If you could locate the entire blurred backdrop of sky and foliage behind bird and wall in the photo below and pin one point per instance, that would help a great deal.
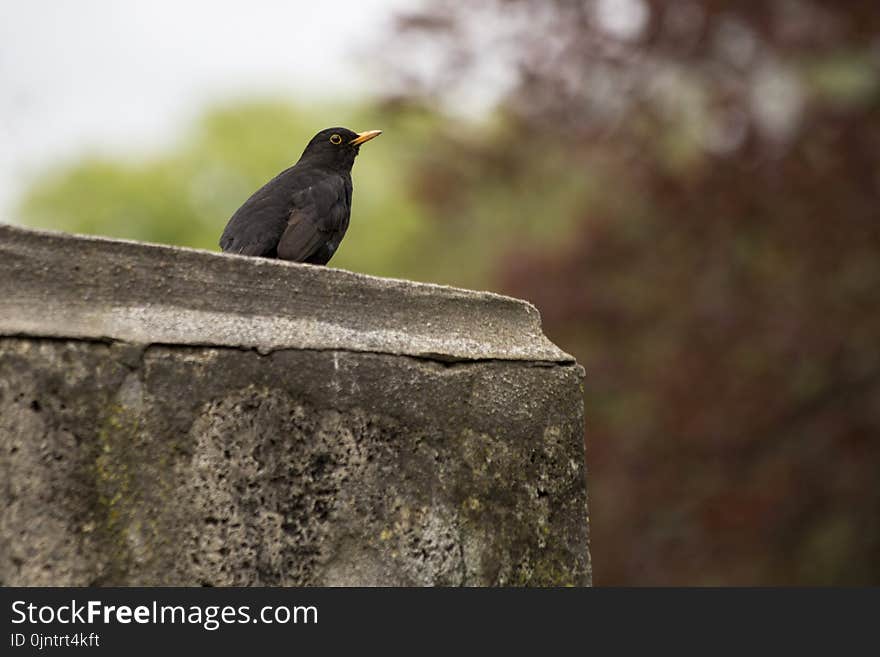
(688, 190)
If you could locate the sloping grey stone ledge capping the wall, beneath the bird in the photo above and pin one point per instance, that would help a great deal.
(69, 286)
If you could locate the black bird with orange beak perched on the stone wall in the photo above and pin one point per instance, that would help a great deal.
(302, 213)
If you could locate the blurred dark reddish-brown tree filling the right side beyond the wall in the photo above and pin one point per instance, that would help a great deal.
(708, 175)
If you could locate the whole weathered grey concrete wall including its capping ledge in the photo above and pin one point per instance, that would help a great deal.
(170, 416)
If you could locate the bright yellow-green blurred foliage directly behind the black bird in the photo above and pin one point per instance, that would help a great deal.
(185, 196)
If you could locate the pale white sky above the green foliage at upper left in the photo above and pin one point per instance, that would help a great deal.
(124, 75)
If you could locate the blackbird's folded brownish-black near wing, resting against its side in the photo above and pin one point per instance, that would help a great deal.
(317, 215)
